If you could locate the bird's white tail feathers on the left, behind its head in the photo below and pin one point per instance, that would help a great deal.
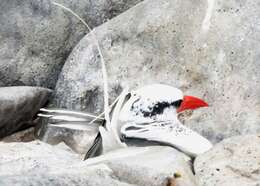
(108, 137)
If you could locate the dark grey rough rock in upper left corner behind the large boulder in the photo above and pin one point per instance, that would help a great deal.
(36, 36)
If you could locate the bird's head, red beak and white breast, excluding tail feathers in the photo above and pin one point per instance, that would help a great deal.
(151, 114)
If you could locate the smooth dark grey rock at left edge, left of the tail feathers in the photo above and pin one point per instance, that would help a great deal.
(19, 106)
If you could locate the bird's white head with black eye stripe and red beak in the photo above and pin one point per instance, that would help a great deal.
(158, 102)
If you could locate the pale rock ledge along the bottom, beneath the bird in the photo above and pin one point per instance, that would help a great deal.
(37, 163)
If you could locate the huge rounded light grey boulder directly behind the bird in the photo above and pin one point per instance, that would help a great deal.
(209, 49)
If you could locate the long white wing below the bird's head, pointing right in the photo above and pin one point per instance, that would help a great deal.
(176, 135)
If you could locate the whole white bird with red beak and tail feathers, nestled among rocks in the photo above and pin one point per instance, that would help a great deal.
(149, 113)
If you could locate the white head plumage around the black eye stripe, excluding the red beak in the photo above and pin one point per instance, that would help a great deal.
(143, 100)
